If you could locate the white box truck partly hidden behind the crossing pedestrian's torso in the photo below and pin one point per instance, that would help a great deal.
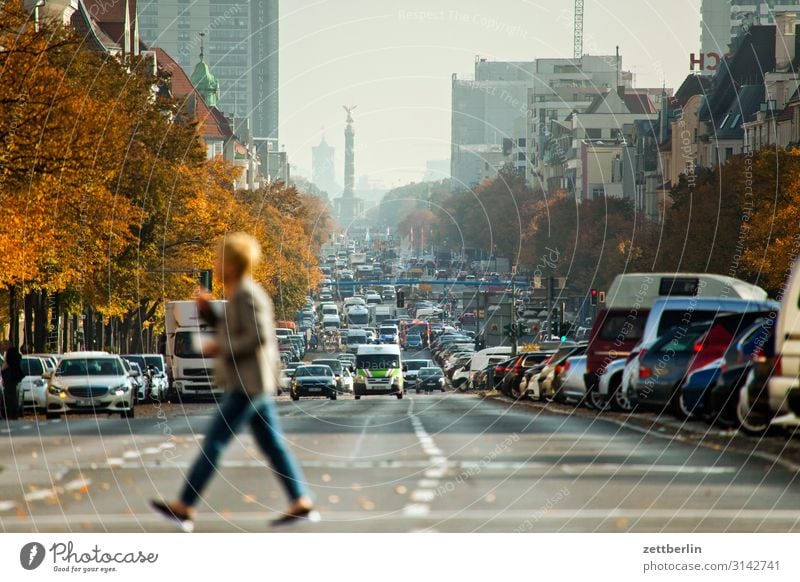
(190, 372)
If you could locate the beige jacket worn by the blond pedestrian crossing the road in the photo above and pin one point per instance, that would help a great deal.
(248, 359)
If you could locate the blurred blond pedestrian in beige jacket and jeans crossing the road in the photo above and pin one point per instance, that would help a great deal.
(247, 365)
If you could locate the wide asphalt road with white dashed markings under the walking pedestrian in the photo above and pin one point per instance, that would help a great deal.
(443, 462)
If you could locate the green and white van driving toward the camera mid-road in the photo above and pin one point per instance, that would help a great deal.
(379, 370)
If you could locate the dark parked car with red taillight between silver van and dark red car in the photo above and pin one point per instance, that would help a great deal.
(663, 367)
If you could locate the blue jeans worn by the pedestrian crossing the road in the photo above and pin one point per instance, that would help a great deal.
(237, 409)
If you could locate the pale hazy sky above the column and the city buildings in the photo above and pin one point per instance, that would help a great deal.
(395, 59)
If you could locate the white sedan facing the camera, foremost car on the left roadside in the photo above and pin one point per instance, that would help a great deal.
(90, 383)
